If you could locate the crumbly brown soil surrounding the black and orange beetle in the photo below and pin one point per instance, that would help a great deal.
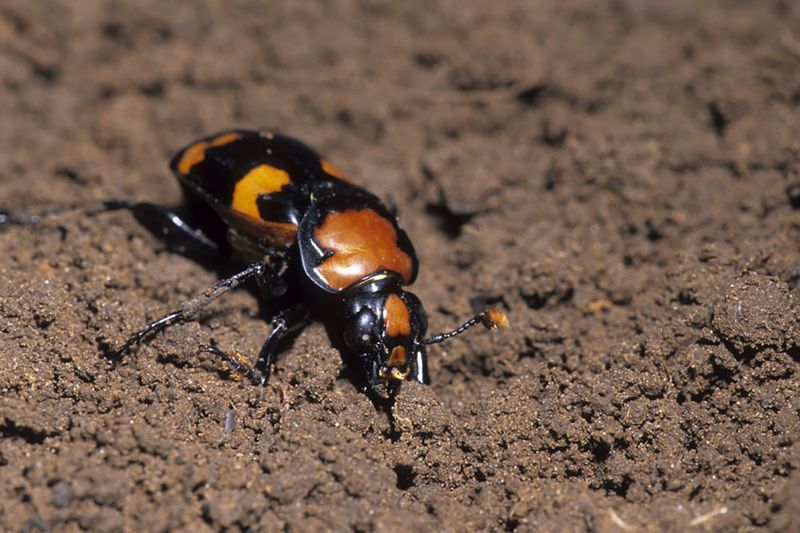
(623, 178)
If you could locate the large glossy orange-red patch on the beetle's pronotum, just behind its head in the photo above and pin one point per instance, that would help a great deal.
(362, 242)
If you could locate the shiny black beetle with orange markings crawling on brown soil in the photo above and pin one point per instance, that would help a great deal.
(311, 239)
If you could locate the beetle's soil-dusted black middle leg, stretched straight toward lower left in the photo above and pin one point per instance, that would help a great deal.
(189, 309)
